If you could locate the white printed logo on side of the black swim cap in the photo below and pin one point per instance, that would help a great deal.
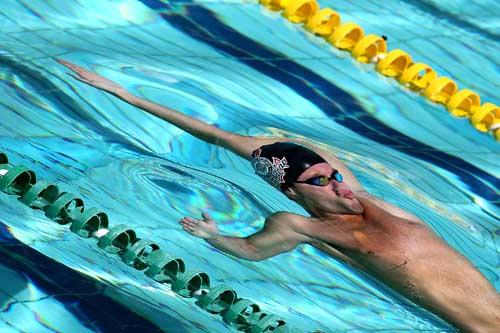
(273, 171)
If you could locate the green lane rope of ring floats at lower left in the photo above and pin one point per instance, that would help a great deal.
(141, 254)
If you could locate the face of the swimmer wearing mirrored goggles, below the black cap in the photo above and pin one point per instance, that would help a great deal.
(321, 189)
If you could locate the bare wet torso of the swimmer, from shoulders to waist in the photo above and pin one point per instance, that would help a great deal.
(414, 261)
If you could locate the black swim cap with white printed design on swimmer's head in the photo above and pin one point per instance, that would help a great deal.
(282, 163)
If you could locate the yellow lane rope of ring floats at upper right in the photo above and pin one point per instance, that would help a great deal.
(418, 77)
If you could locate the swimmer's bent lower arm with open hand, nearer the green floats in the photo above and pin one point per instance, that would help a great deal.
(274, 238)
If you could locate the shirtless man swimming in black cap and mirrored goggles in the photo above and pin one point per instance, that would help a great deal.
(345, 221)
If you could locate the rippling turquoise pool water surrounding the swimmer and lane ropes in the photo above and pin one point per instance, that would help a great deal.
(237, 65)
